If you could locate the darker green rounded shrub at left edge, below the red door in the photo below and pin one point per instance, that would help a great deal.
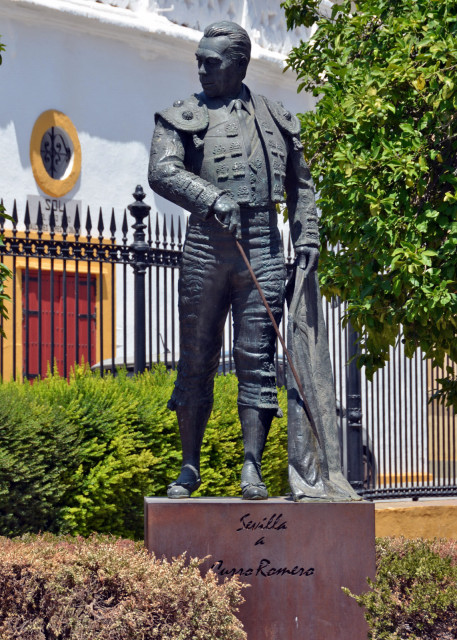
(37, 461)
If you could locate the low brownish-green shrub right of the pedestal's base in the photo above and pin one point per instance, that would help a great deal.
(414, 596)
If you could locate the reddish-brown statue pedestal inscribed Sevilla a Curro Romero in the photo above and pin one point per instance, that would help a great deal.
(296, 557)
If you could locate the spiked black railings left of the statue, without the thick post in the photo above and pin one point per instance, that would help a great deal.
(72, 292)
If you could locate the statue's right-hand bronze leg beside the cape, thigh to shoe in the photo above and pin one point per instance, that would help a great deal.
(254, 351)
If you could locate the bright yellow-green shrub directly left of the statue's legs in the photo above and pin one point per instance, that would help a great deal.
(115, 463)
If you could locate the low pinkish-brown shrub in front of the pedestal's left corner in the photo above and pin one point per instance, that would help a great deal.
(109, 589)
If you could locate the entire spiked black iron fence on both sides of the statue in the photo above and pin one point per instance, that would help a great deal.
(75, 292)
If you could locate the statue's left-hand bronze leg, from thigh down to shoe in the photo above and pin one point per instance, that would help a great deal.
(203, 307)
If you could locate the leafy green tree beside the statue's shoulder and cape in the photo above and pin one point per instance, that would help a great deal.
(382, 147)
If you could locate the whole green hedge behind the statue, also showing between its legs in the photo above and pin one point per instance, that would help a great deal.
(79, 456)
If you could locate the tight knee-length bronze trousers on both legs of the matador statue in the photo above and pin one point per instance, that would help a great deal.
(213, 277)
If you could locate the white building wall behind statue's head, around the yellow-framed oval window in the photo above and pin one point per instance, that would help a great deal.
(109, 86)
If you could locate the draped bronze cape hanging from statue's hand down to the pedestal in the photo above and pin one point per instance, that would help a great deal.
(314, 469)
